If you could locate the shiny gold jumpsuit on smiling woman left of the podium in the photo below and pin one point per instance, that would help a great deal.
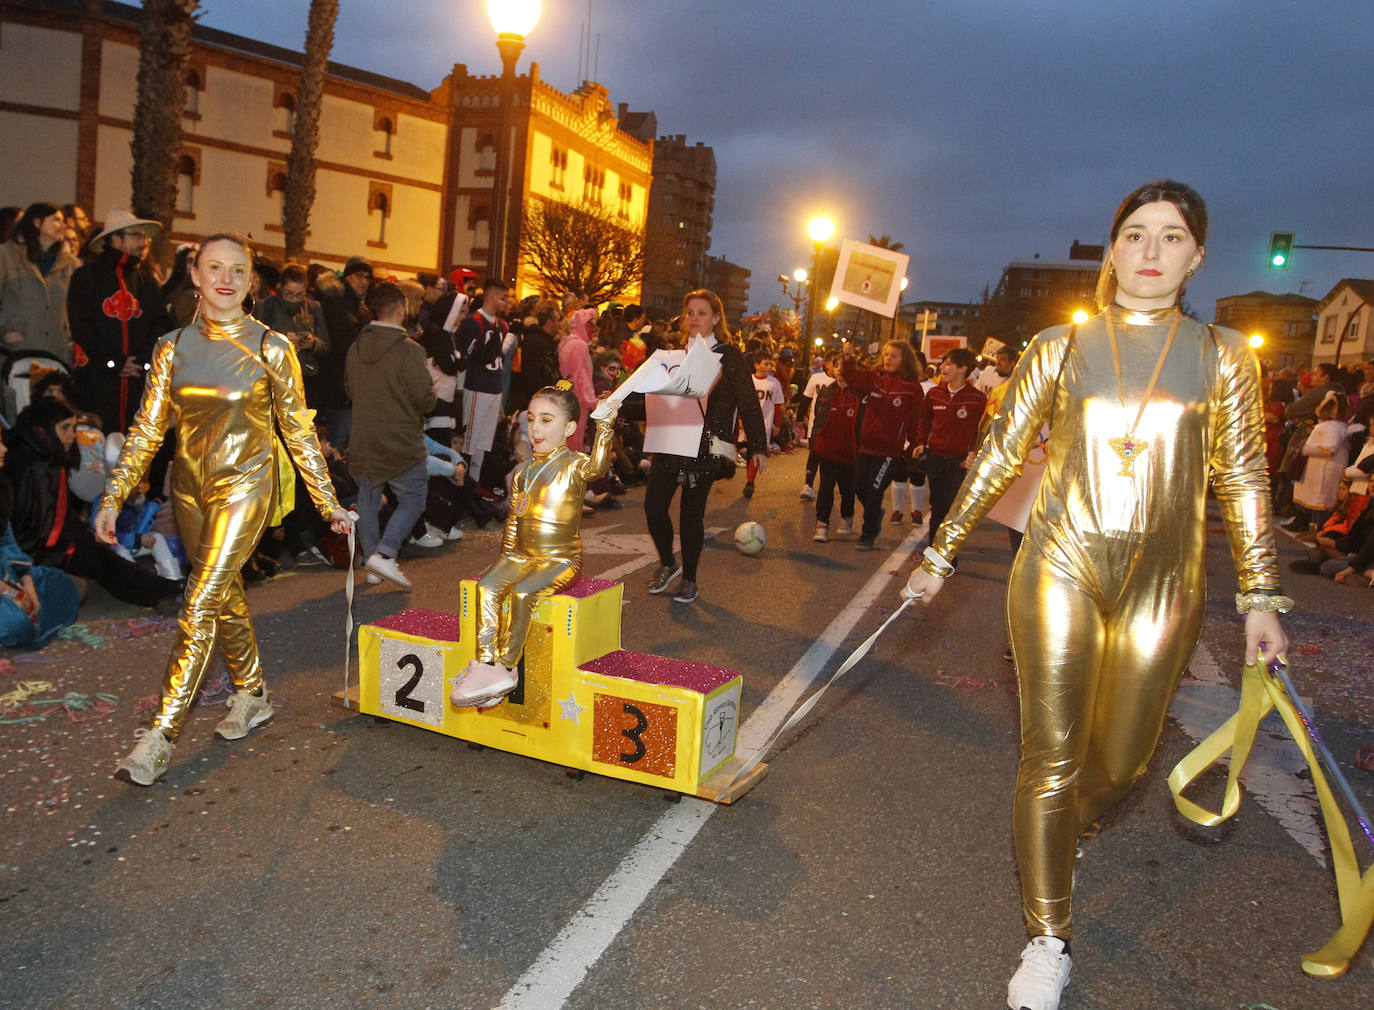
(223, 402)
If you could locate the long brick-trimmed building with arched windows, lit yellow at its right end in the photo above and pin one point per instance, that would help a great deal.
(405, 174)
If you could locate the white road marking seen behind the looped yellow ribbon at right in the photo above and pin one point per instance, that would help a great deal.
(1203, 703)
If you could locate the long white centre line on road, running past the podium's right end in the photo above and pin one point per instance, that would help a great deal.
(570, 957)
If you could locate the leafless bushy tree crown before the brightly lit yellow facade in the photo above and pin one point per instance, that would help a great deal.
(582, 248)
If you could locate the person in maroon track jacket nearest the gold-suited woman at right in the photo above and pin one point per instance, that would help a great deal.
(949, 431)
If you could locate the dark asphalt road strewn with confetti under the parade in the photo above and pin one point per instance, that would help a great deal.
(340, 861)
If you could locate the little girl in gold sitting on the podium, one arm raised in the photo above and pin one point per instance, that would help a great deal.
(542, 550)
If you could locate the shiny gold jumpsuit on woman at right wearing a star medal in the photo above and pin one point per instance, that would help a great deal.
(1107, 597)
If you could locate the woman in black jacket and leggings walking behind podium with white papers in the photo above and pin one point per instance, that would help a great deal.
(733, 398)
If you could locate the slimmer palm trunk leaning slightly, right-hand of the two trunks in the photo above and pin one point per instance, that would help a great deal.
(300, 164)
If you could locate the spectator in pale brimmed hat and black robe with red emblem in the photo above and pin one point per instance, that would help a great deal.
(116, 313)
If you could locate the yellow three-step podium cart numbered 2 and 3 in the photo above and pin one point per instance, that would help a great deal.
(582, 700)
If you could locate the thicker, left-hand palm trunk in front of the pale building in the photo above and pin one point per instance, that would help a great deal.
(164, 56)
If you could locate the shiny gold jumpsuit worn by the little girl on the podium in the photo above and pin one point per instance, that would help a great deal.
(542, 550)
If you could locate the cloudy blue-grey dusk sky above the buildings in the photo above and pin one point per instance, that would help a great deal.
(975, 131)
